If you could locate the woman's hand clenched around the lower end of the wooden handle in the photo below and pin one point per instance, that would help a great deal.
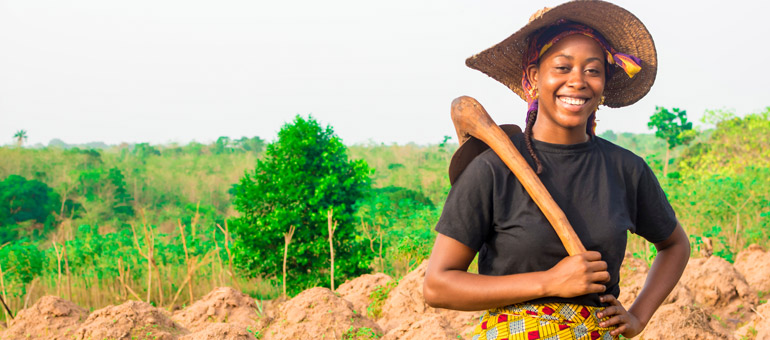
(578, 275)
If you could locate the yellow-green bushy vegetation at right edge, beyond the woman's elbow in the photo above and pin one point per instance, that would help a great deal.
(721, 188)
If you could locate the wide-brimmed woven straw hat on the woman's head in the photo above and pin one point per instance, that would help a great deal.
(624, 31)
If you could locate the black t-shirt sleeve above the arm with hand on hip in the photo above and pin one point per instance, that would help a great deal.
(656, 219)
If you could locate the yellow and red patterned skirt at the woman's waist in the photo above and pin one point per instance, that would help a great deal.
(552, 321)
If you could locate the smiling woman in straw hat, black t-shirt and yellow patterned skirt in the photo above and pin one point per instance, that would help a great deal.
(565, 63)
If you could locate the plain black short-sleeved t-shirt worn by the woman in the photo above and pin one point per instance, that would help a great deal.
(603, 189)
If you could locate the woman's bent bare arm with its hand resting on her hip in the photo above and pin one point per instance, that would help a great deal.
(673, 254)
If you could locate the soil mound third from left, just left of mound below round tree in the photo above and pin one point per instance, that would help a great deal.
(223, 304)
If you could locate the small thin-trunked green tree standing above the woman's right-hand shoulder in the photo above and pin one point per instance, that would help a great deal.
(672, 127)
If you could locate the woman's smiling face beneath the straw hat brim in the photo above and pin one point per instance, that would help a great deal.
(570, 81)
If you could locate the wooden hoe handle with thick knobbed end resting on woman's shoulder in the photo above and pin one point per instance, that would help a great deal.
(470, 119)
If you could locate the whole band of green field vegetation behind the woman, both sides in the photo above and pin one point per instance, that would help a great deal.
(152, 222)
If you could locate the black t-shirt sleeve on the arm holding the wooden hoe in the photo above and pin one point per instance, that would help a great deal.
(467, 214)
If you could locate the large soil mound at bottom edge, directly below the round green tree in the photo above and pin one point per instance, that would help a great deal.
(317, 313)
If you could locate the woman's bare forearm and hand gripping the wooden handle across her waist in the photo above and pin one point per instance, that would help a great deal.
(449, 285)
